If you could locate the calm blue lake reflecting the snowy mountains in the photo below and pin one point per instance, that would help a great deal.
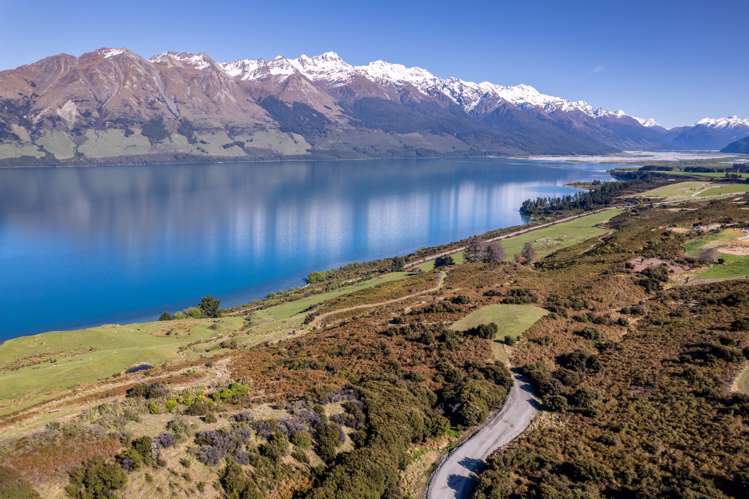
(85, 246)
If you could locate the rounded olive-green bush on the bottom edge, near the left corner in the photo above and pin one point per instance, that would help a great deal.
(96, 479)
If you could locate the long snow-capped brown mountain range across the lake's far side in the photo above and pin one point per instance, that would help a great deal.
(114, 105)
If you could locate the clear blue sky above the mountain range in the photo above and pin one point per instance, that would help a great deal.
(675, 60)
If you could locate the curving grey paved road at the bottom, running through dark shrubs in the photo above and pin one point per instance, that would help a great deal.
(455, 476)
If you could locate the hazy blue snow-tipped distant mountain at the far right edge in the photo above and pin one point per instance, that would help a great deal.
(708, 133)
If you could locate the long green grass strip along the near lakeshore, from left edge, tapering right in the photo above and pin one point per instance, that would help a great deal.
(35, 368)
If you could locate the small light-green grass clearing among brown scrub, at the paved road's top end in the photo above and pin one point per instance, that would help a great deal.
(511, 320)
